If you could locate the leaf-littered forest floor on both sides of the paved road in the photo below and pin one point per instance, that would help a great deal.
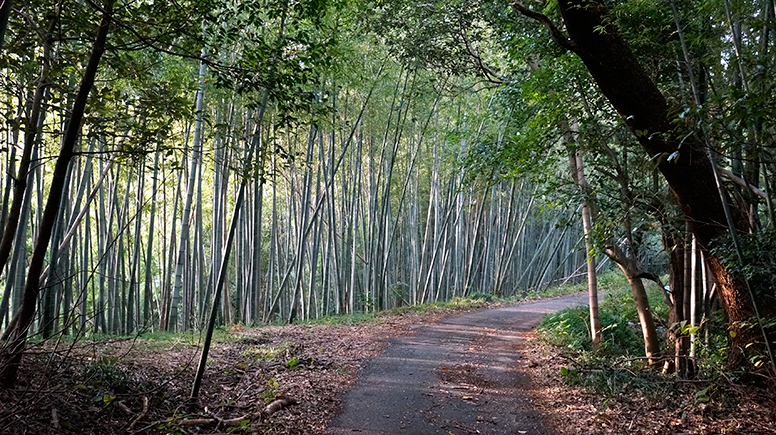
(142, 386)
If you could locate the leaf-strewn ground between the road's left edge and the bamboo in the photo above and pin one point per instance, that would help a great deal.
(104, 387)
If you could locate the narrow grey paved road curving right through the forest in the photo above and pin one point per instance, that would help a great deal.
(461, 376)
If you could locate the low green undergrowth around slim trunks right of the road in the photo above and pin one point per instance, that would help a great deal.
(618, 361)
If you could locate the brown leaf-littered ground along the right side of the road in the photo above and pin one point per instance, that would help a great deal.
(673, 409)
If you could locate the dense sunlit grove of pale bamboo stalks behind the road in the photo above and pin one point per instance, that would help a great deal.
(359, 203)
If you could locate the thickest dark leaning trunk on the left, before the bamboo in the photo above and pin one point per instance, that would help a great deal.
(17, 335)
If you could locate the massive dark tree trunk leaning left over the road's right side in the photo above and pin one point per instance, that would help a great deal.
(681, 159)
